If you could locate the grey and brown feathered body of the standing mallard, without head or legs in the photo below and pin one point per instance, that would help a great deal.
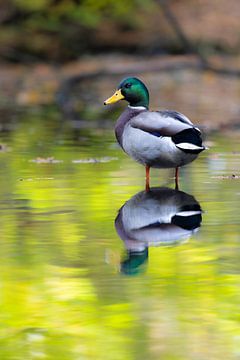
(148, 137)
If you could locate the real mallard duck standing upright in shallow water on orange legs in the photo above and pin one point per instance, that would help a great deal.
(158, 139)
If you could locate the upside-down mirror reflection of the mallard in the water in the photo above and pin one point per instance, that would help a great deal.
(162, 216)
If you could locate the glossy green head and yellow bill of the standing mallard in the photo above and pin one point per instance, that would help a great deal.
(132, 90)
